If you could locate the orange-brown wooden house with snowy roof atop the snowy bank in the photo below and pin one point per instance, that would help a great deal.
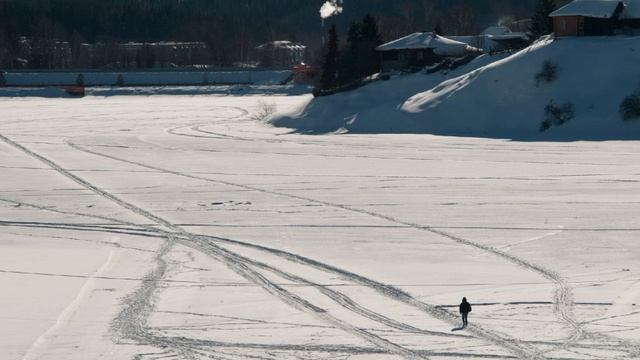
(588, 18)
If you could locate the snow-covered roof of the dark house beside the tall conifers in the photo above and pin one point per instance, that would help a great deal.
(427, 40)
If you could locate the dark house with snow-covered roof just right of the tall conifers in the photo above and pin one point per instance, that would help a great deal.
(419, 50)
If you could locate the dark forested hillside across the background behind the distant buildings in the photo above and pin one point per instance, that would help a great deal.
(230, 29)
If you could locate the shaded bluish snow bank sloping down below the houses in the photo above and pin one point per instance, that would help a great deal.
(495, 99)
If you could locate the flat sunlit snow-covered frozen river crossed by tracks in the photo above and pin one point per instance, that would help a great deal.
(181, 227)
